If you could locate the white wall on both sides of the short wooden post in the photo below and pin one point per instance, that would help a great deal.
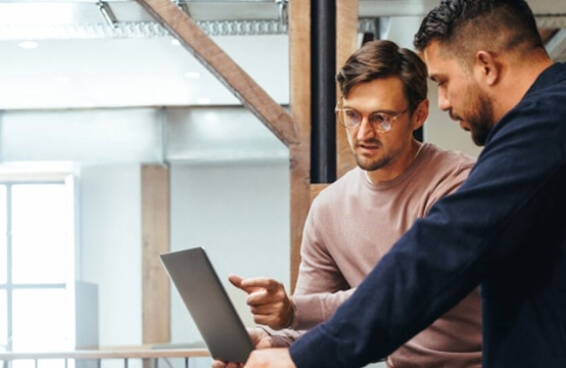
(240, 213)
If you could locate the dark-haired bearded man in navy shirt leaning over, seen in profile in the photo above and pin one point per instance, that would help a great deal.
(504, 229)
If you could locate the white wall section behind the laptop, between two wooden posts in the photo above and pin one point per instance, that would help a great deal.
(240, 214)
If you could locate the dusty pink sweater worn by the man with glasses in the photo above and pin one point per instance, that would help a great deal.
(352, 224)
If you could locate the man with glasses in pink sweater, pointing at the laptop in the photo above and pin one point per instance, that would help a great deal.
(354, 221)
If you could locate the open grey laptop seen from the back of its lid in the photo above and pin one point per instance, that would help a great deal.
(208, 303)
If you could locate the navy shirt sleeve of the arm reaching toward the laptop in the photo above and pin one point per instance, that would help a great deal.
(444, 255)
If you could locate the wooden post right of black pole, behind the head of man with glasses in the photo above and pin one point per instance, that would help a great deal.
(346, 44)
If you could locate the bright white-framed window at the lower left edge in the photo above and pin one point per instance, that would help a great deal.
(36, 263)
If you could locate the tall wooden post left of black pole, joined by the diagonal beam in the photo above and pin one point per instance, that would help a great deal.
(300, 101)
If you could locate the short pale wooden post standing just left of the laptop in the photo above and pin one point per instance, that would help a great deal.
(156, 316)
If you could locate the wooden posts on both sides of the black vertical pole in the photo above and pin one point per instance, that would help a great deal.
(302, 192)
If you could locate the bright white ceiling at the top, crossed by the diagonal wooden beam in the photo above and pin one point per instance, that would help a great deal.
(81, 61)
